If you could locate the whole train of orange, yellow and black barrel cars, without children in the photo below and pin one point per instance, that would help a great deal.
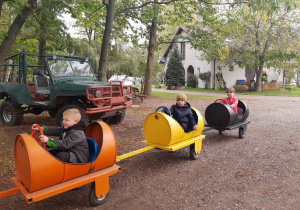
(36, 180)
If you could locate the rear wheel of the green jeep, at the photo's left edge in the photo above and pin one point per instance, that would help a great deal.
(11, 114)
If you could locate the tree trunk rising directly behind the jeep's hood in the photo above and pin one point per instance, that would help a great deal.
(106, 41)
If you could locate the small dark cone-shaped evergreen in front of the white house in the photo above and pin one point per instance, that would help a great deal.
(175, 69)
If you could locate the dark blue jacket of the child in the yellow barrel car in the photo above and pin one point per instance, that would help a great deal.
(183, 114)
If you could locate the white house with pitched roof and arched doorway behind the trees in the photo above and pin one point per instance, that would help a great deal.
(193, 65)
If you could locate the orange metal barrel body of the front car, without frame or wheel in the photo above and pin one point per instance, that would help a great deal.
(37, 169)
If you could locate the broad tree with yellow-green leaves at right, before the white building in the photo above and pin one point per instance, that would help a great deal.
(254, 35)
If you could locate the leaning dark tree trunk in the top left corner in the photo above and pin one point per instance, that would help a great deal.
(14, 29)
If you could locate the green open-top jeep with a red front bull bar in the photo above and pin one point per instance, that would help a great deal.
(63, 82)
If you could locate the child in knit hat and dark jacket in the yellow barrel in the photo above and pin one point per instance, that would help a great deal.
(182, 113)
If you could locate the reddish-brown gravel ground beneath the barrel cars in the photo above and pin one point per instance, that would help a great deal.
(260, 171)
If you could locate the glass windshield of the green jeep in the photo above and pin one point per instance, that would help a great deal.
(70, 68)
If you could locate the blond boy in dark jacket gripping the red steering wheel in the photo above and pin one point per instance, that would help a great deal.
(72, 145)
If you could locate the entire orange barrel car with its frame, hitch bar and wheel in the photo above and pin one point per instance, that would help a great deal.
(40, 175)
